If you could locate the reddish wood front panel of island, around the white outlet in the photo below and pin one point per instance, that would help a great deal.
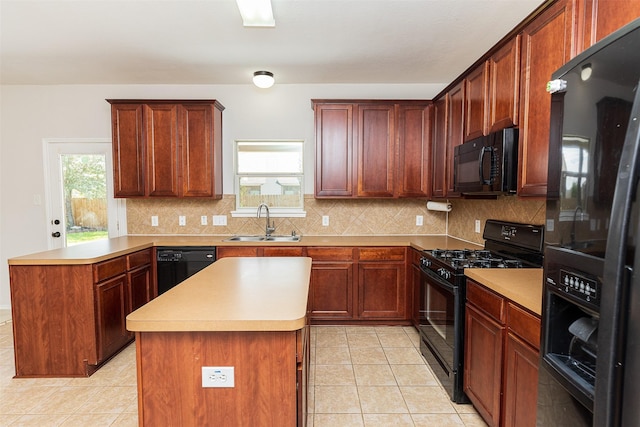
(170, 388)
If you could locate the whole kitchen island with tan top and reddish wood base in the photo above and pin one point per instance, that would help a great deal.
(245, 313)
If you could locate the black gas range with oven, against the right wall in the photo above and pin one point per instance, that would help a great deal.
(443, 293)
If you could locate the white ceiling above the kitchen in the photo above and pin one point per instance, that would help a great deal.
(49, 42)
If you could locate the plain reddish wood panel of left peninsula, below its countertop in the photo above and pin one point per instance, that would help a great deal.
(52, 311)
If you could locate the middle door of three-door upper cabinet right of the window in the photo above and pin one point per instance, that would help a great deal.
(376, 150)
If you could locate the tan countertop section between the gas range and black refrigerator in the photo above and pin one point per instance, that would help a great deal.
(521, 285)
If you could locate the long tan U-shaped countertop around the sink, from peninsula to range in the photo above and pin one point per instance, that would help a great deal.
(90, 253)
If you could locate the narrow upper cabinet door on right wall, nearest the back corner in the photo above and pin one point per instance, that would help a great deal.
(439, 148)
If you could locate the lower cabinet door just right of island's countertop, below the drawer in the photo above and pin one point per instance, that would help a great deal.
(331, 291)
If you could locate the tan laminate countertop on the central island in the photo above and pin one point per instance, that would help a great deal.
(233, 294)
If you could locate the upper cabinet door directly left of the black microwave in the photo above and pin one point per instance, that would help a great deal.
(455, 133)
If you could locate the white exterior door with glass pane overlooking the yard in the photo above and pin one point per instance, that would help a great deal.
(79, 184)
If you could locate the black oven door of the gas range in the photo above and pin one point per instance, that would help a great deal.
(441, 331)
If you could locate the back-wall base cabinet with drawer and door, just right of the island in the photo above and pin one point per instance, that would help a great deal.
(331, 291)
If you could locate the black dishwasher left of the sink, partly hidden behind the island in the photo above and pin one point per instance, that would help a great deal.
(175, 264)
